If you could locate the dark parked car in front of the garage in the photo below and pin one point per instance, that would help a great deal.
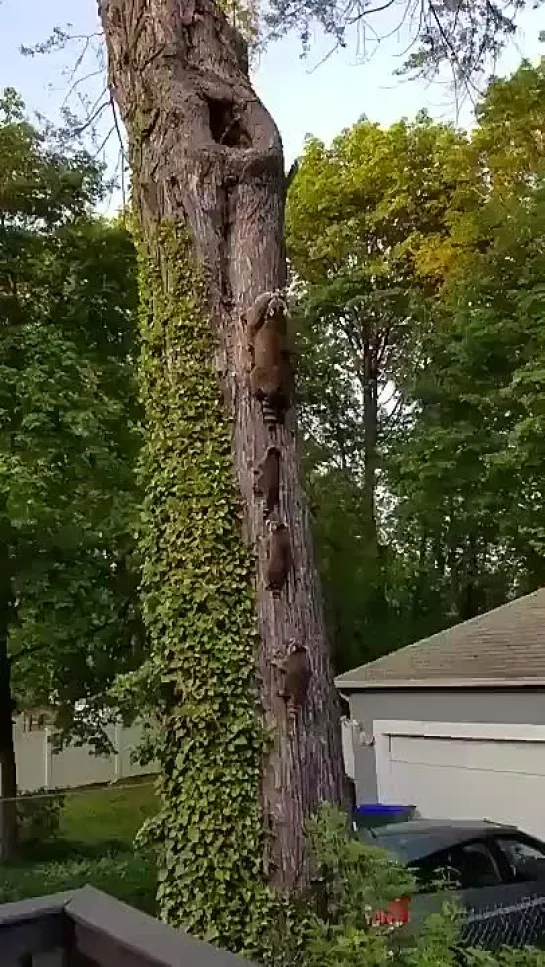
(496, 872)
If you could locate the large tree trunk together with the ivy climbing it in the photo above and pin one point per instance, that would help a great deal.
(239, 775)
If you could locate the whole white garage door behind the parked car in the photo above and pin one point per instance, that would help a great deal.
(467, 771)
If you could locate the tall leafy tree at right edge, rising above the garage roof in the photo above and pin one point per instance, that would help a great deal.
(470, 470)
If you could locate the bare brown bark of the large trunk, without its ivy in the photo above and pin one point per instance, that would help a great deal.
(206, 155)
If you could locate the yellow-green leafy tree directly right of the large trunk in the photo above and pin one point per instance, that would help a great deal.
(364, 217)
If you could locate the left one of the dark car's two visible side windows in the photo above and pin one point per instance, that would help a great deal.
(465, 867)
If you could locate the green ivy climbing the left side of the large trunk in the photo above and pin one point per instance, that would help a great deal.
(199, 610)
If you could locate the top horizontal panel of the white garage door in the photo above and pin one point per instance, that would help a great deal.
(492, 755)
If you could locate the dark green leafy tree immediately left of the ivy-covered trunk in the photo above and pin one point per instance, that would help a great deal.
(78, 614)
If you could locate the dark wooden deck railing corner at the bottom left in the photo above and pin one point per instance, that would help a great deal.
(86, 928)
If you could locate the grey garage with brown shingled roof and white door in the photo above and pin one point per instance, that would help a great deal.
(455, 724)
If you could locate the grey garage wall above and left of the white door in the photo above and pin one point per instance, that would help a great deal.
(524, 706)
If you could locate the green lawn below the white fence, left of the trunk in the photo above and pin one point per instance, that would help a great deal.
(94, 845)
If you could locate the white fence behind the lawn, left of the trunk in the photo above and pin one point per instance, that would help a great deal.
(38, 767)
